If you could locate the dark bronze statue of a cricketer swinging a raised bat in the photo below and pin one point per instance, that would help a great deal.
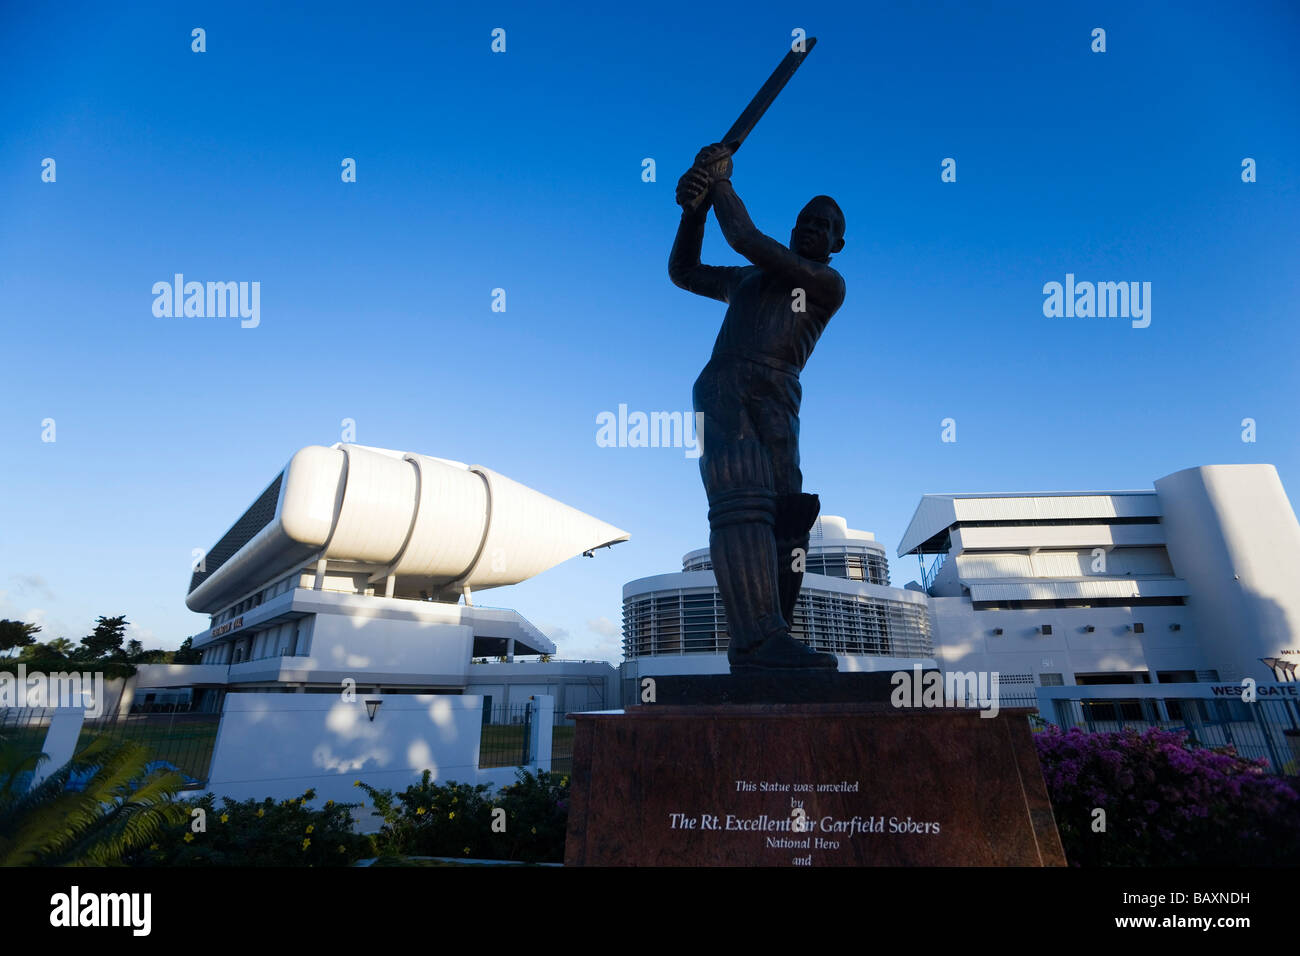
(749, 393)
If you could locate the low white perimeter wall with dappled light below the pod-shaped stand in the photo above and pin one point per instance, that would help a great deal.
(281, 745)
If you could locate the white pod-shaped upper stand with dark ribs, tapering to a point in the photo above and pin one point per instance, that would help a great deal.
(434, 525)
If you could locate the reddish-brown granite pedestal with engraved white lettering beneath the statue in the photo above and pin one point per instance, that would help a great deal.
(808, 785)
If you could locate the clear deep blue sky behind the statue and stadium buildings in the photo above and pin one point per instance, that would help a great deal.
(523, 171)
